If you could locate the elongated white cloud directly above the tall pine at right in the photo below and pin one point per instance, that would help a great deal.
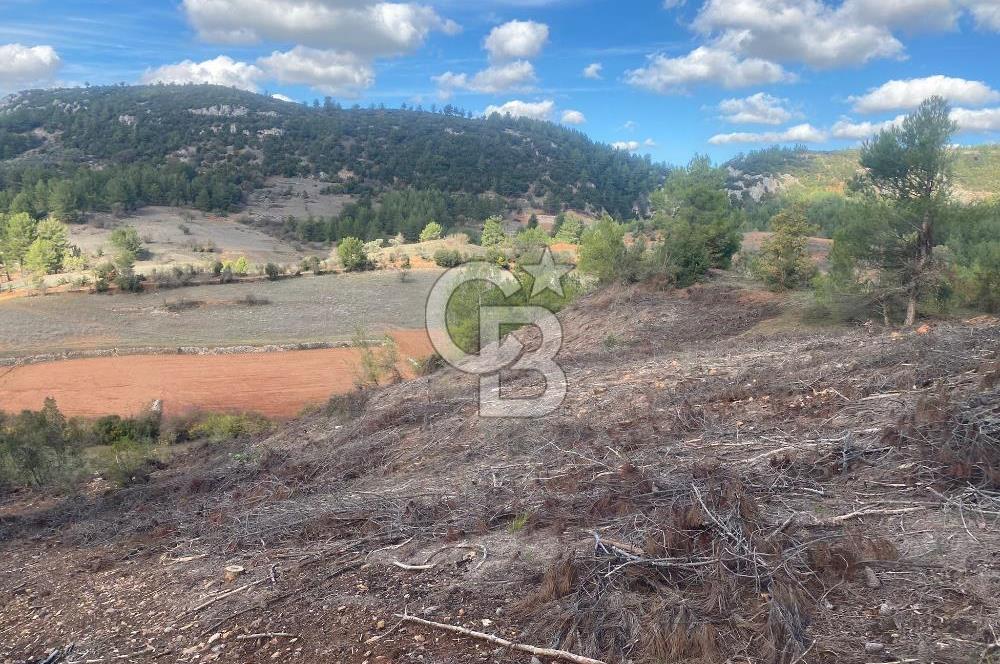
(908, 94)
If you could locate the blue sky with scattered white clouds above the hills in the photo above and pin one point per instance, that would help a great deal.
(668, 78)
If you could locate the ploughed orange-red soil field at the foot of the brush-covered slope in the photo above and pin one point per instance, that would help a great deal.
(277, 384)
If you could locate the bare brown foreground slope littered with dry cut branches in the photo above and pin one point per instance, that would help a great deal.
(707, 492)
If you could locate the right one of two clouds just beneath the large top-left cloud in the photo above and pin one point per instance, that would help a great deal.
(327, 71)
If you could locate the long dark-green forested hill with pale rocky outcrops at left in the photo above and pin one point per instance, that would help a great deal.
(96, 147)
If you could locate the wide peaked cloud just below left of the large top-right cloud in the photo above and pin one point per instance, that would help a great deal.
(705, 64)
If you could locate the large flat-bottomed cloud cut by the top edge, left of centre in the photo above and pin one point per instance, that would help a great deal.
(364, 27)
